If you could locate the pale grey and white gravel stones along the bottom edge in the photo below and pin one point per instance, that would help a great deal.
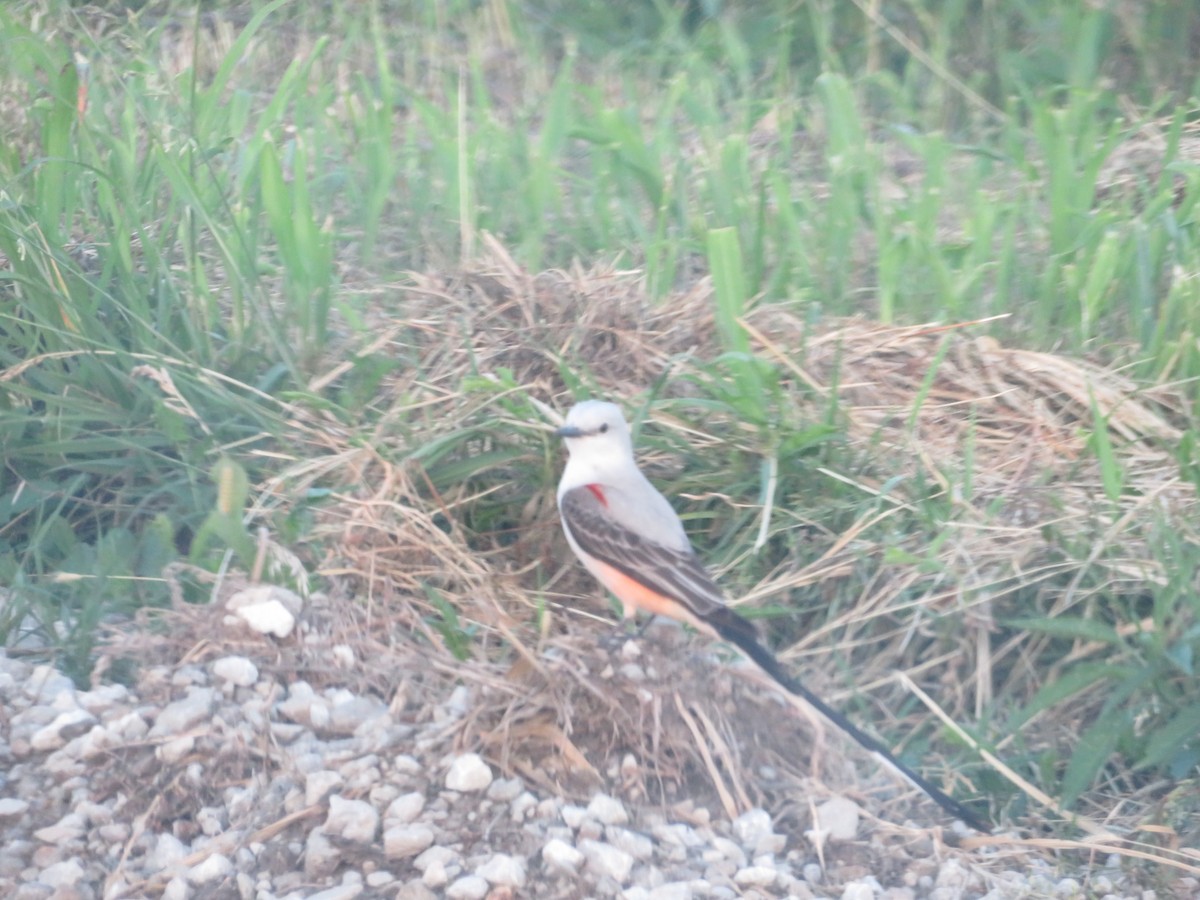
(221, 779)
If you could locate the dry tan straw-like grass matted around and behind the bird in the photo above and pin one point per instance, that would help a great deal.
(559, 710)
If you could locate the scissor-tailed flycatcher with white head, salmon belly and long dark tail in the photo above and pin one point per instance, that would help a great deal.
(631, 539)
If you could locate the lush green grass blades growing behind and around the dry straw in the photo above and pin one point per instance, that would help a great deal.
(238, 227)
